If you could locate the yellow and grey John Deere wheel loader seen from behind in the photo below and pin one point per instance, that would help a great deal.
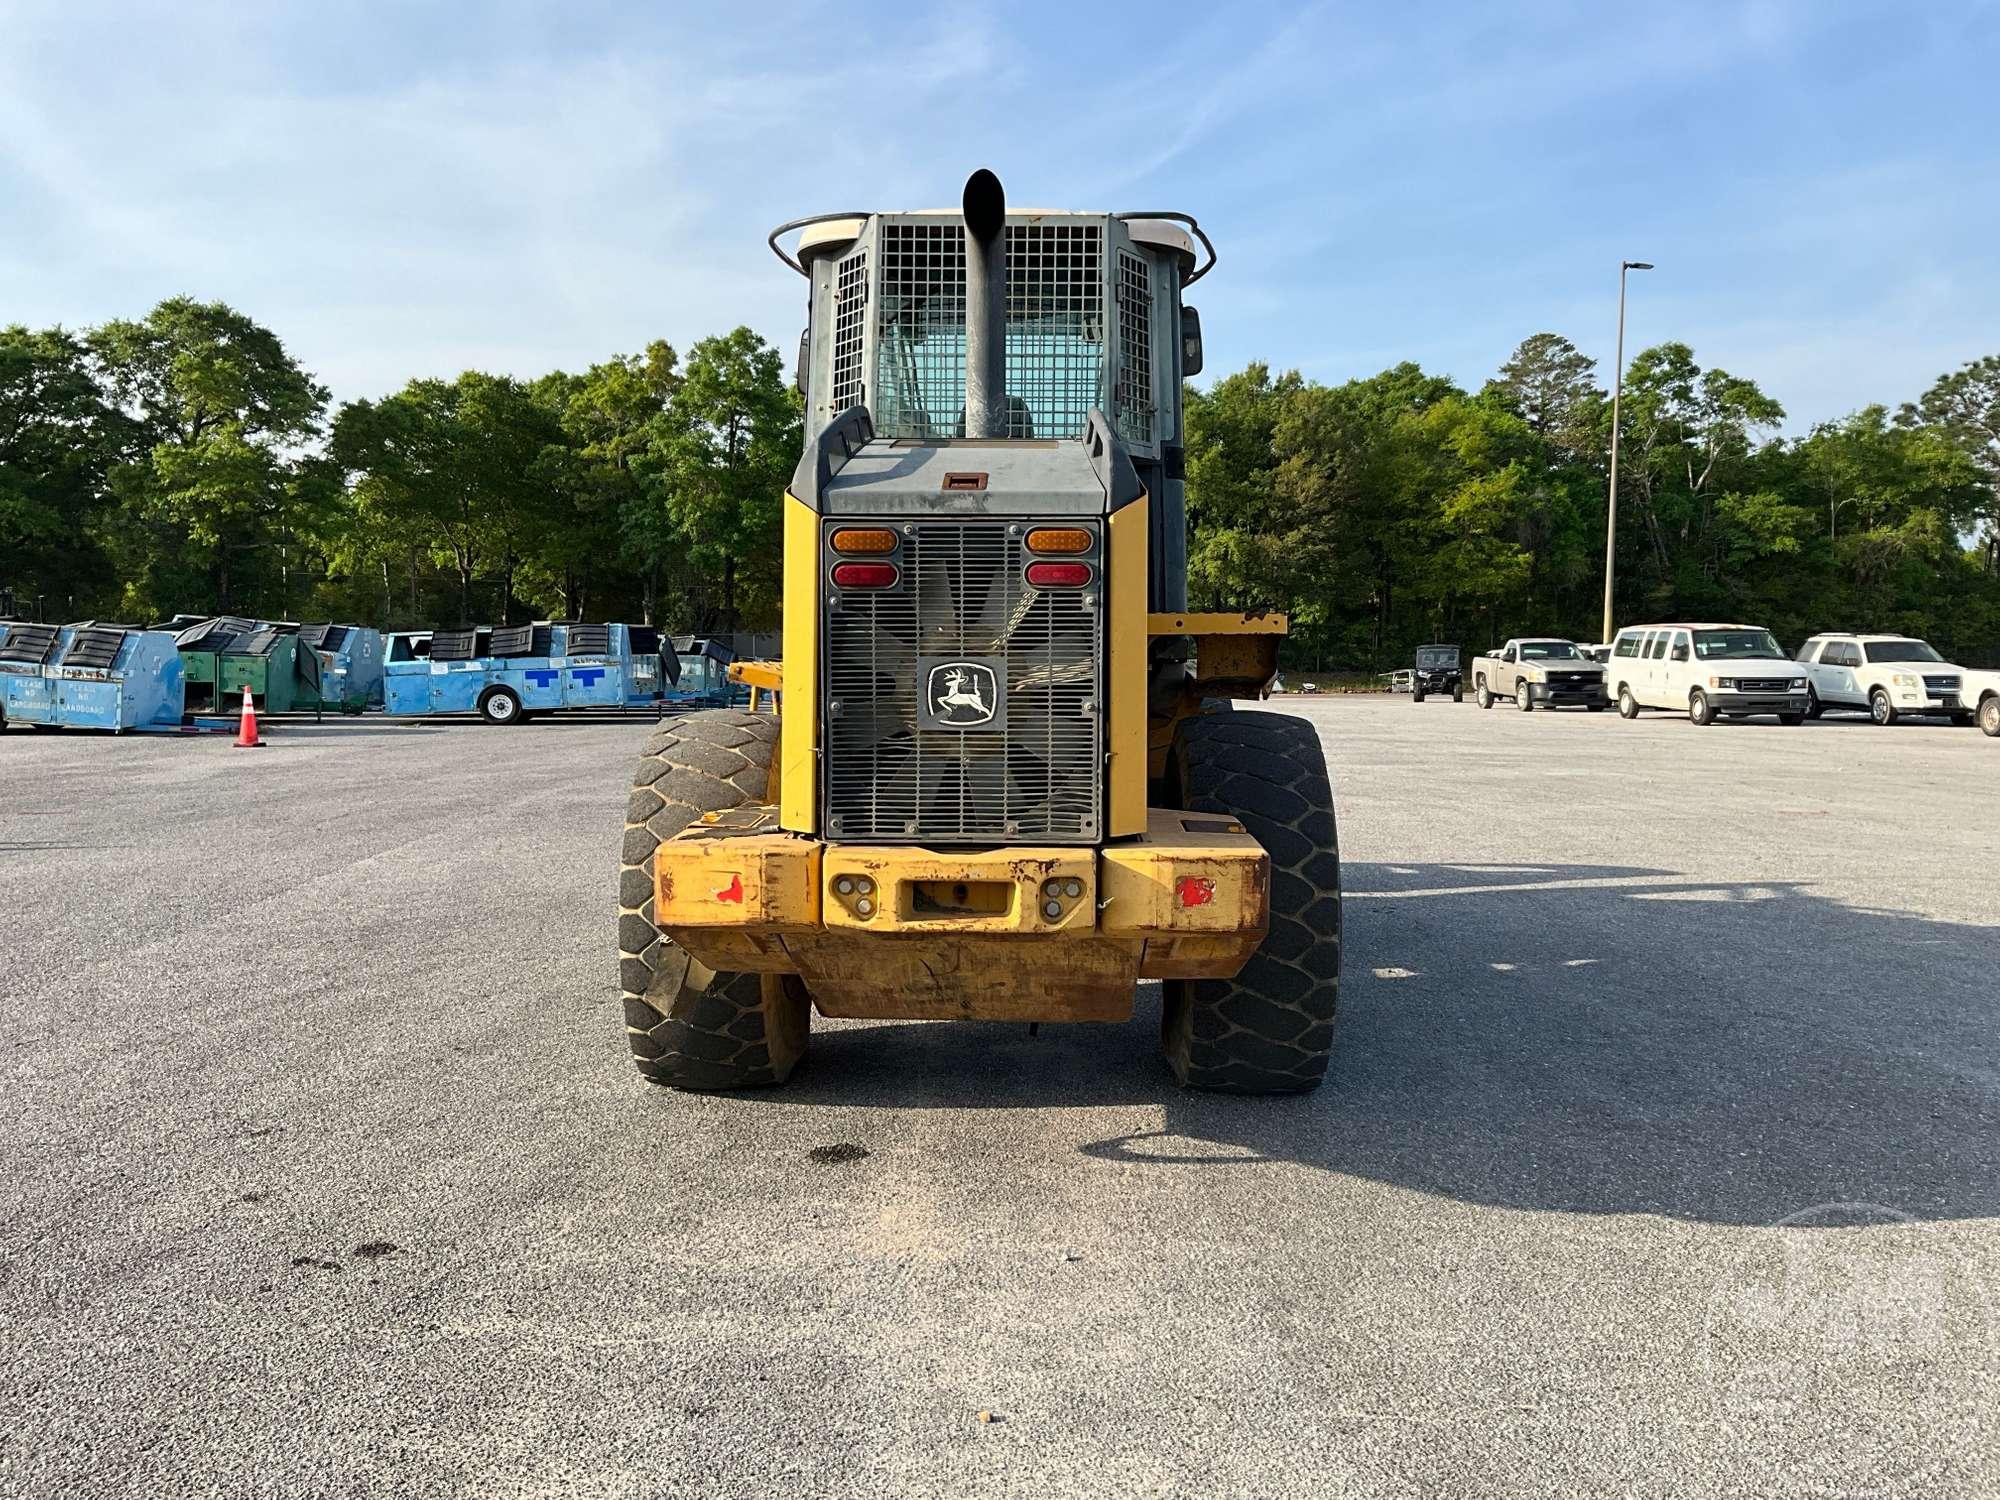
(999, 785)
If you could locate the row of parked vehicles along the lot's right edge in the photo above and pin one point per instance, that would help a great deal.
(1731, 671)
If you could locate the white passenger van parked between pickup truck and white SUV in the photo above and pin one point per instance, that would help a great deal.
(1707, 673)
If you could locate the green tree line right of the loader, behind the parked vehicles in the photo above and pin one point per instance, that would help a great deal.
(1403, 509)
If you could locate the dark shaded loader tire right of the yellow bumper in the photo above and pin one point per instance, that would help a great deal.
(1271, 1029)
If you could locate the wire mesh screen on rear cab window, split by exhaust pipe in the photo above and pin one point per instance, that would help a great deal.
(1055, 329)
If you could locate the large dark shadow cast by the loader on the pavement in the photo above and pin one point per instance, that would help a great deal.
(1573, 1039)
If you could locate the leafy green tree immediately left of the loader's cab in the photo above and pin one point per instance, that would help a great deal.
(725, 455)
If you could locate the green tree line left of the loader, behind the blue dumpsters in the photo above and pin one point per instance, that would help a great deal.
(187, 463)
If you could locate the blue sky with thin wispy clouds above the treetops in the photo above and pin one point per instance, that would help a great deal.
(417, 189)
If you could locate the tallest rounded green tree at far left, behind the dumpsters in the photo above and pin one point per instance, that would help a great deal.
(223, 415)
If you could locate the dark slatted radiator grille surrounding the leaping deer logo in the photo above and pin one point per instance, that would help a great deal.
(1035, 773)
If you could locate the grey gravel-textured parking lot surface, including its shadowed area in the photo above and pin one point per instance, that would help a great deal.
(1661, 1153)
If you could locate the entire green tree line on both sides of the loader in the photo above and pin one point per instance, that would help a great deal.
(187, 463)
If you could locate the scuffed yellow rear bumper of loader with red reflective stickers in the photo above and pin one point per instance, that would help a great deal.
(997, 935)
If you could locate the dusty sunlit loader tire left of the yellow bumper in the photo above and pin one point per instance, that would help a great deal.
(691, 1027)
